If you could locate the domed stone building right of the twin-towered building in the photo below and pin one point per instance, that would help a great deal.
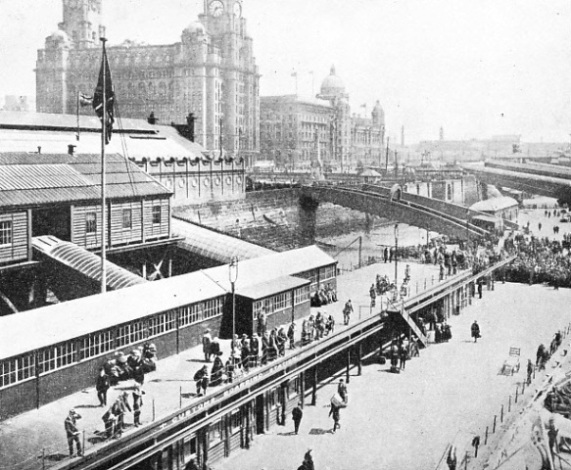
(298, 133)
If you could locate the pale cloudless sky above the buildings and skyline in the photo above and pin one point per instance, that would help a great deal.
(477, 68)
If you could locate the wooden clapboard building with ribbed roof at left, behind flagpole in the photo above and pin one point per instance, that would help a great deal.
(60, 195)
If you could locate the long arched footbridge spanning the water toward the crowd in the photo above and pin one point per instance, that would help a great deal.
(427, 213)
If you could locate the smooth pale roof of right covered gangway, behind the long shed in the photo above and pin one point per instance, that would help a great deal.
(216, 246)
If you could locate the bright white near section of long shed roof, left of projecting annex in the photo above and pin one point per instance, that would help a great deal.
(61, 322)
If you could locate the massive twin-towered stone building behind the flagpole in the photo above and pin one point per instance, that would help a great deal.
(211, 72)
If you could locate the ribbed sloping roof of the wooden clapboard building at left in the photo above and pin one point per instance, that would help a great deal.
(30, 179)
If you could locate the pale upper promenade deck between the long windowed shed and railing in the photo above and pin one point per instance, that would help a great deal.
(26, 438)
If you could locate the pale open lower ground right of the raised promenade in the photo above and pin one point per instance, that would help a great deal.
(405, 421)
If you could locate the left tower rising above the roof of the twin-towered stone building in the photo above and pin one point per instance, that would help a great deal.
(82, 22)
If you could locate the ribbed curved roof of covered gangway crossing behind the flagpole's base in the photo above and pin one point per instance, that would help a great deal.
(85, 262)
